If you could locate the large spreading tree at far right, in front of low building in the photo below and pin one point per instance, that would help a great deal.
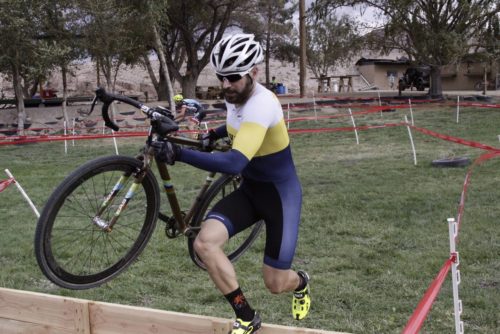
(430, 32)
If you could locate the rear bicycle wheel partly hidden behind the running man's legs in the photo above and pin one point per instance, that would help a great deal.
(238, 244)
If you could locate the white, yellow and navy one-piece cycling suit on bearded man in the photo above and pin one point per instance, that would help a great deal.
(271, 189)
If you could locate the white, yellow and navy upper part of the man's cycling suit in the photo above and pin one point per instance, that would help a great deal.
(260, 143)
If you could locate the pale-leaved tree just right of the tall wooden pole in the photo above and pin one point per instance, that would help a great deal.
(331, 41)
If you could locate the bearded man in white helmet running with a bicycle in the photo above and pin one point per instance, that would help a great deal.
(270, 190)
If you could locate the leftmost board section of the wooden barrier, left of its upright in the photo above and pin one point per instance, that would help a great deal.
(43, 309)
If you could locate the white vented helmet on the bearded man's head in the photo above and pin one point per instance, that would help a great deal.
(236, 54)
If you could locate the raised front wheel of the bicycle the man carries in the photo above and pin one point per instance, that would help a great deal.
(75, 253)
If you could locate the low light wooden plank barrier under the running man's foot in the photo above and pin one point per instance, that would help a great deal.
(24, 312)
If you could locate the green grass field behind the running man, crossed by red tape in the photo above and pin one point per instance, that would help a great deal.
(373, 234)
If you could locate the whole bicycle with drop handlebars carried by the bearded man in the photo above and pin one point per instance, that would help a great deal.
(101, 217)
